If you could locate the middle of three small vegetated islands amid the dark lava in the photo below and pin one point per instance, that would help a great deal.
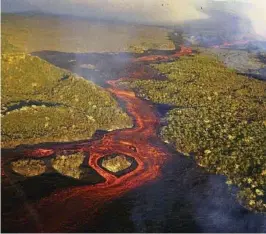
(69, 165)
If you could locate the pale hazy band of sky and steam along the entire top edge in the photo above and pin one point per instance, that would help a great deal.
(148, 11)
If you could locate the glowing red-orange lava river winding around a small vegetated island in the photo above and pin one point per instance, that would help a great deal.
(68, 209)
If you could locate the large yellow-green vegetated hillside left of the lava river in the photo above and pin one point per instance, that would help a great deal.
(70, 108)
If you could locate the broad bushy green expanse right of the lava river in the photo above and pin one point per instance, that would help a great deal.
(220, 117)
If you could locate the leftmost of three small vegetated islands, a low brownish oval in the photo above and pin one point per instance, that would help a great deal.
(29, 167)
